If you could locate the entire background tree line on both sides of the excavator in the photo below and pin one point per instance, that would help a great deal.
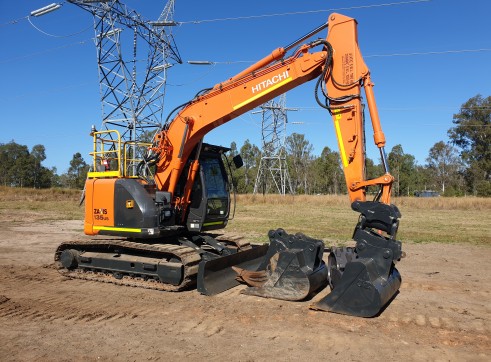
(459, 167)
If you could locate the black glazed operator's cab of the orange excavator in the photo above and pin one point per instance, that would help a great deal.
(210, 205)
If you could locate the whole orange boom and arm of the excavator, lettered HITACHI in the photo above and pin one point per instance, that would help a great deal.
(341, 73)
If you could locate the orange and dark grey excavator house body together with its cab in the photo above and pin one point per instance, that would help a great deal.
(129, 207)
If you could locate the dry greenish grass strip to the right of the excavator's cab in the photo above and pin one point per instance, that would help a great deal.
(330, 218)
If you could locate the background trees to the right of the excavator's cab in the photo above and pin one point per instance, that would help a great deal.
(459, 167)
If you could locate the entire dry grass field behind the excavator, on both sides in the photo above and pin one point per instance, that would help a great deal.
(330, 218)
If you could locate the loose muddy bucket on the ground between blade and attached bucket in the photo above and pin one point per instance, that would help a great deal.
(292, 269)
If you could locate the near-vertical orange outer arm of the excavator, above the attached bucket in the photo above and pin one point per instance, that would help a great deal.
(344, 79)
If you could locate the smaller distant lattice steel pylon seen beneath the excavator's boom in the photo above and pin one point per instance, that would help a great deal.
(273, 170)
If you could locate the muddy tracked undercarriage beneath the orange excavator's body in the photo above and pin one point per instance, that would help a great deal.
(171, 264)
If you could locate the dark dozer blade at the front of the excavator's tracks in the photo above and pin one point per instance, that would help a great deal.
(217, 275)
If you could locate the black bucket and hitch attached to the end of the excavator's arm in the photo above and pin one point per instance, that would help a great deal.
(365, 279)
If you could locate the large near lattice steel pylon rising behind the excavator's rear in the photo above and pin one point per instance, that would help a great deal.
(132, 80)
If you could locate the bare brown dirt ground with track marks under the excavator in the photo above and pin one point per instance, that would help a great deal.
(443, 312)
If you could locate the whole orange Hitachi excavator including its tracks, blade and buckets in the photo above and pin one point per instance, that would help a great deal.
(156, 228)
